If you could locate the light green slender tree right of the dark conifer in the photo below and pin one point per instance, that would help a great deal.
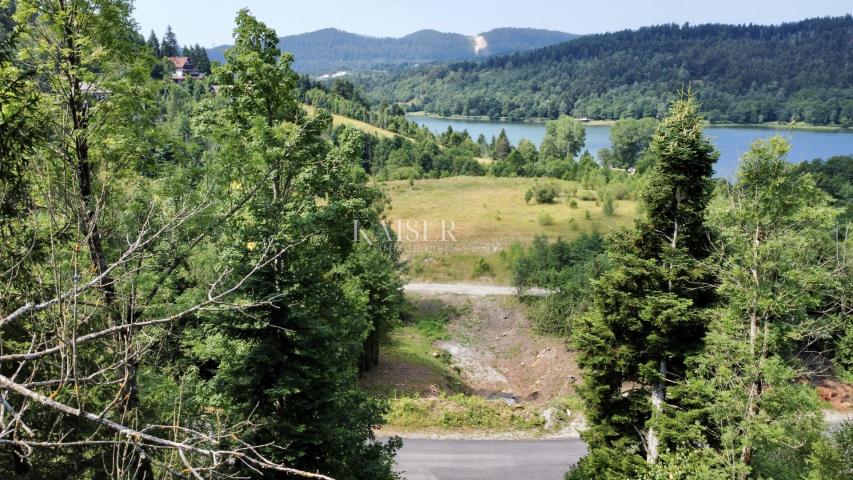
(781, 282)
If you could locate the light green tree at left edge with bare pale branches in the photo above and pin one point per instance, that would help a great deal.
(86, 302)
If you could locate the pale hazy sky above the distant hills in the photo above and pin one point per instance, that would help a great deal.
(210, 23)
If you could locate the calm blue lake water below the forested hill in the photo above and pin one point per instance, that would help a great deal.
(732, 142)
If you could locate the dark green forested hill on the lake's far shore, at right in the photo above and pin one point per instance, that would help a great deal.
(752, 73)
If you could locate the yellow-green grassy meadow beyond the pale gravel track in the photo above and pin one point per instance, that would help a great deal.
(487, 216)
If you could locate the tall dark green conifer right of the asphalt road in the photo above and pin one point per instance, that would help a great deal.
(649, 311)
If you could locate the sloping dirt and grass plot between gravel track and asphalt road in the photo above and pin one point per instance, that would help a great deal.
(473, 367)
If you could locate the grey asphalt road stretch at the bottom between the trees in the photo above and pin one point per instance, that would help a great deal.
(422, 459)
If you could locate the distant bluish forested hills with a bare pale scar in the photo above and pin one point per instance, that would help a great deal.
(331, 50)
